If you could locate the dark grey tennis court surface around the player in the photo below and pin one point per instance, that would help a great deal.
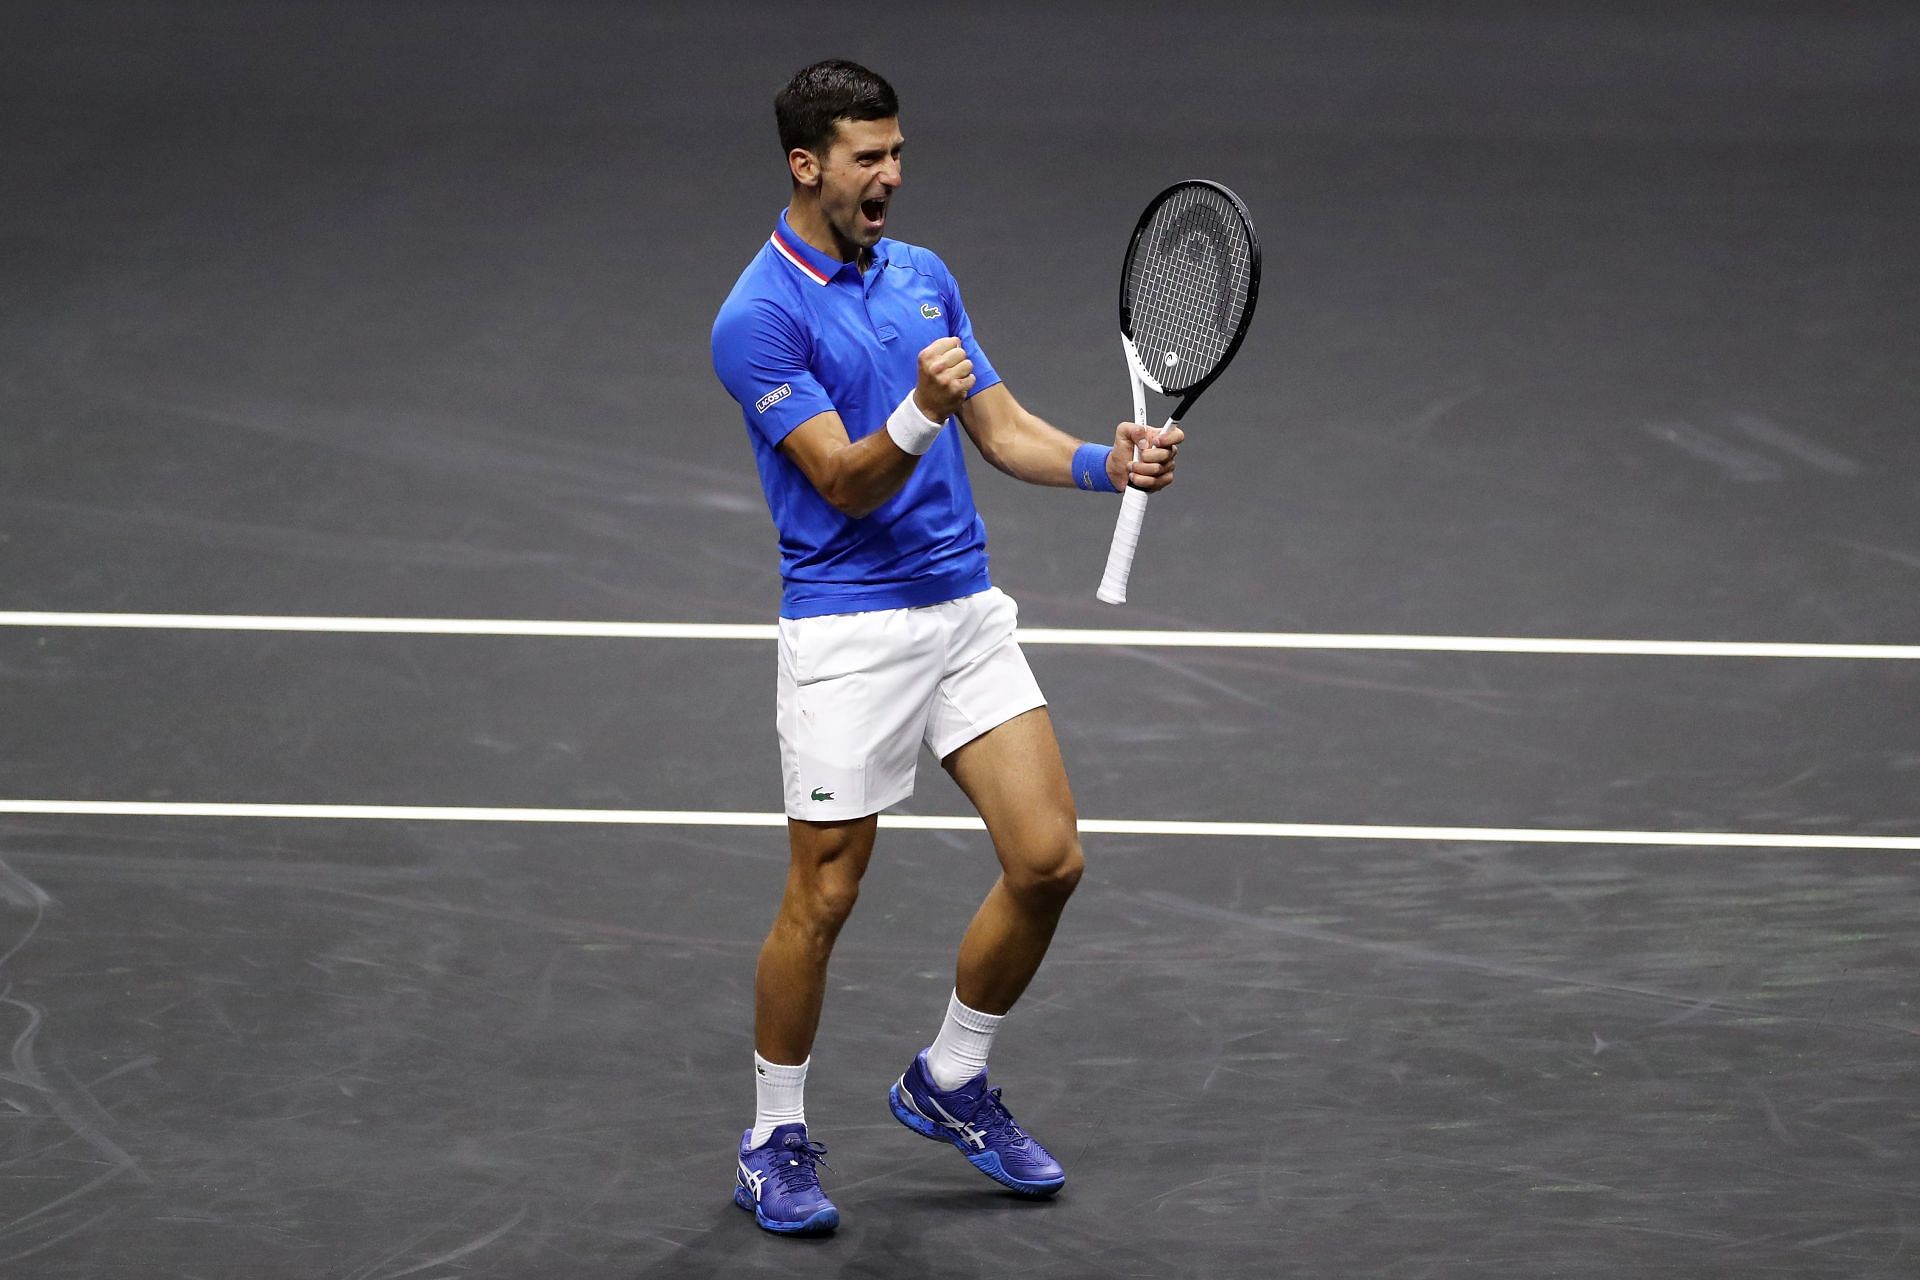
(1579, 321)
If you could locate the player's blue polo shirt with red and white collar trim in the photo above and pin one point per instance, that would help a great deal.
(805, 333)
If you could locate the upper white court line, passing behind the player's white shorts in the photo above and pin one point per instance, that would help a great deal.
(1028, 636)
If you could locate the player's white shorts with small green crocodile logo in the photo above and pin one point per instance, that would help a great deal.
(859, 694)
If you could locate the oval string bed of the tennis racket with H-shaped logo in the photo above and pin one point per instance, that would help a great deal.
(1189, 285)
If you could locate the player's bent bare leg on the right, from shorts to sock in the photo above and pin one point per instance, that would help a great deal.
(1017, 780)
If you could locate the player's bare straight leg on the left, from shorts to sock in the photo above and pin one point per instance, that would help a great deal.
(790, 984)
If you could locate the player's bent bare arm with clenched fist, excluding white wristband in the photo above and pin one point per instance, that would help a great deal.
(859, 475)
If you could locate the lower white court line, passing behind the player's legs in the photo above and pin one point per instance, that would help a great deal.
(915, 822)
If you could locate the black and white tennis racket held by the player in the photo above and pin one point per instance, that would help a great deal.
(1188, 295)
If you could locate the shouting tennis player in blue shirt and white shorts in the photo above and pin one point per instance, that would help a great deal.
(852, 358)
